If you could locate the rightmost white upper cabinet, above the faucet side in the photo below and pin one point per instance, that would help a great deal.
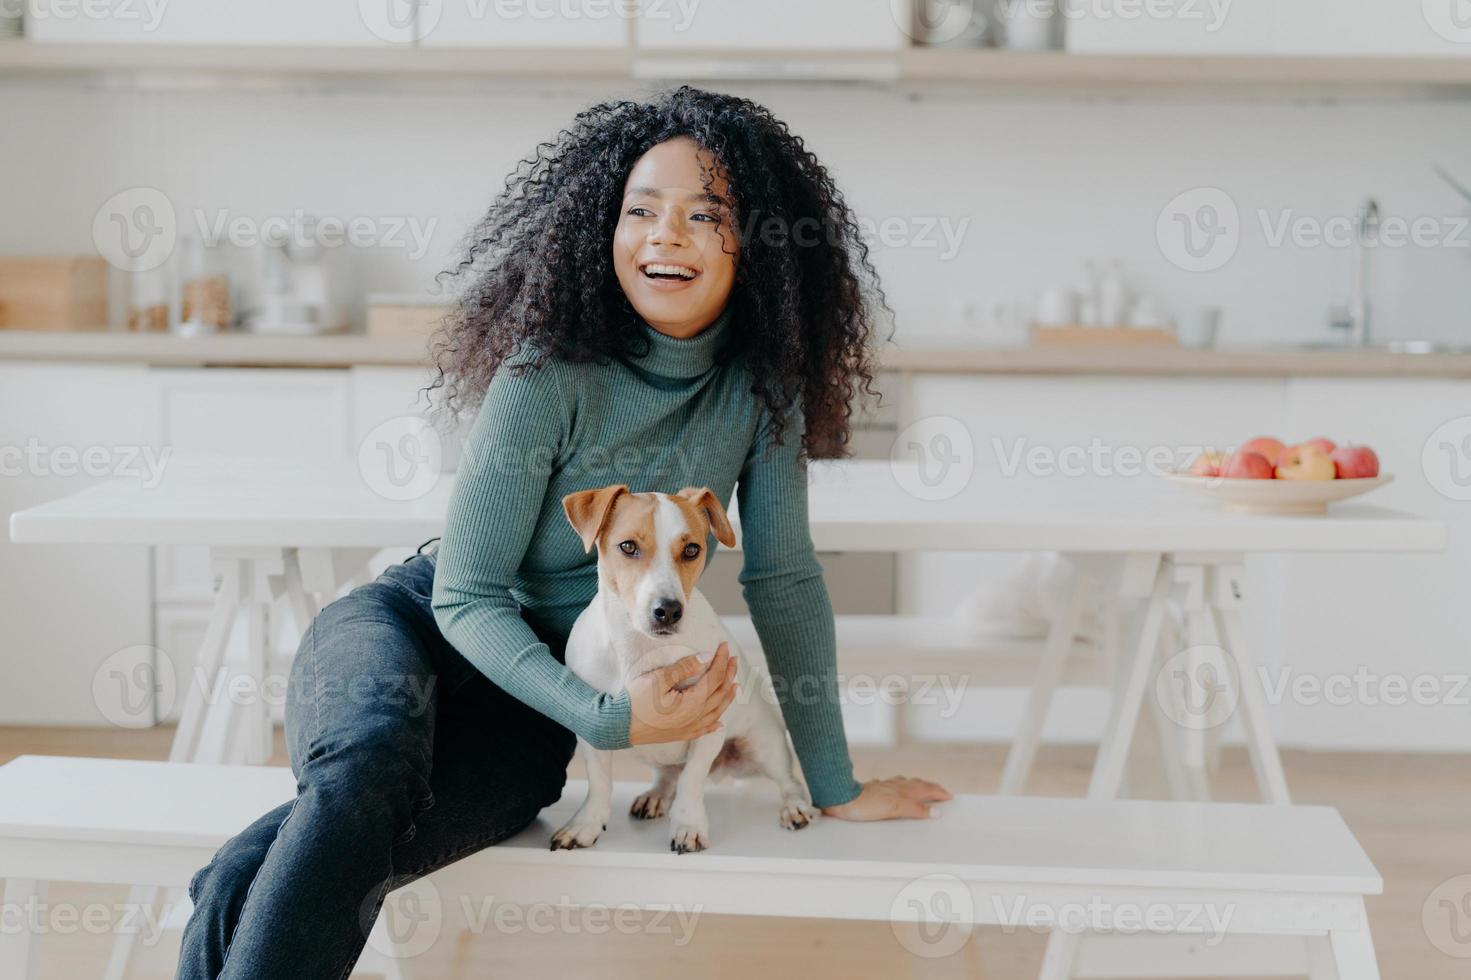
(1272, 27)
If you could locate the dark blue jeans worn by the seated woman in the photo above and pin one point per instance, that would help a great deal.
(407, 760)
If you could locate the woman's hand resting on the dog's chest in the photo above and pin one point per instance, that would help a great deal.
(661, 711)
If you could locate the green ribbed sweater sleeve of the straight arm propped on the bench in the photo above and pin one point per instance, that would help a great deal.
(789, 604)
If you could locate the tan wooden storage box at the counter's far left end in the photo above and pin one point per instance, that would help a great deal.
(54, 294)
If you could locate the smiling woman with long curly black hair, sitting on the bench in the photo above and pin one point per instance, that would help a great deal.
(672, 294)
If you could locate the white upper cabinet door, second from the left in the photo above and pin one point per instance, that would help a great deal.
(549, 24)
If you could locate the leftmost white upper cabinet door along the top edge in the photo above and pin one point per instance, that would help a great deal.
(277, 23)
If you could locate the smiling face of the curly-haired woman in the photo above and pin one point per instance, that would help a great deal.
(676, 248)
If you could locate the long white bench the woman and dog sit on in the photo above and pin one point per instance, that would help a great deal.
(1192, 873)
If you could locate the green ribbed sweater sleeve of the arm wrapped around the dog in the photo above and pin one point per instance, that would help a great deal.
(521, 432)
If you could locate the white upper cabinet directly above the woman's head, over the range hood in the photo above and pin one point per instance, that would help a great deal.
(833, 26)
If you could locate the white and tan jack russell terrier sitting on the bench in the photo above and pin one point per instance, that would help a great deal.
(648, 614)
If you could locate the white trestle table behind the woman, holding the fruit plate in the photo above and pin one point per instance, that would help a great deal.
(299, 533)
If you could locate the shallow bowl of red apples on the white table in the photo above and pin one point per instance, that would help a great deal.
(1267, 476)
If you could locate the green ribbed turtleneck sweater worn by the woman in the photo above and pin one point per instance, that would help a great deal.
(672, 419)
